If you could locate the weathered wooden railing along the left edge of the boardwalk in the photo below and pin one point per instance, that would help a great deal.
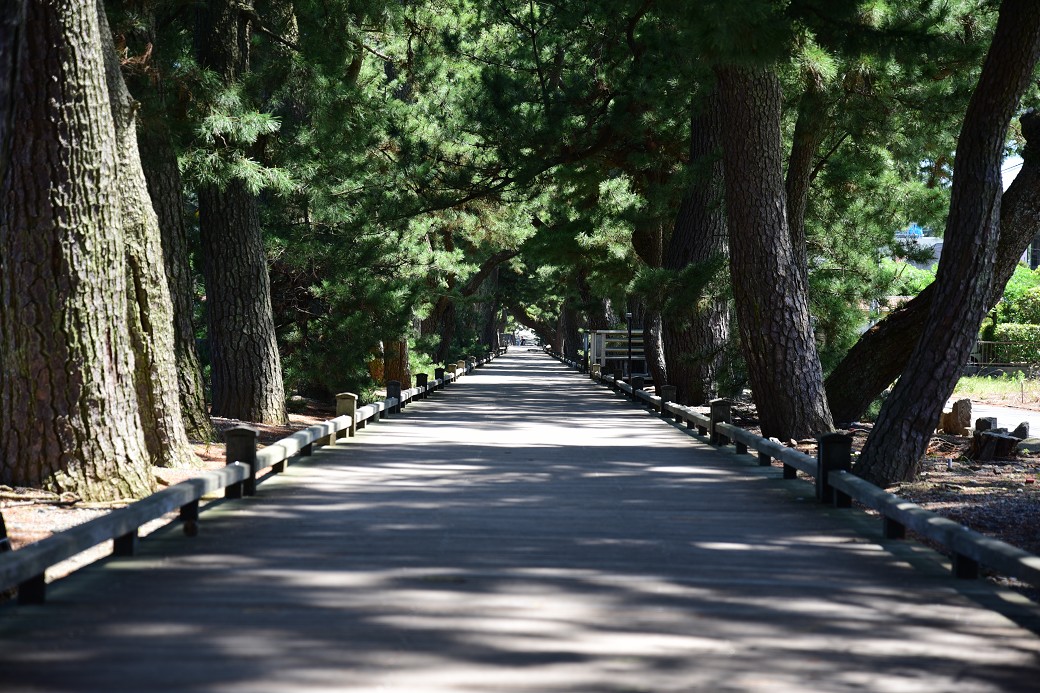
(24, 570)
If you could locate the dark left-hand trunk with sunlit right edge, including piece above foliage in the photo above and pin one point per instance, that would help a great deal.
(247, 369)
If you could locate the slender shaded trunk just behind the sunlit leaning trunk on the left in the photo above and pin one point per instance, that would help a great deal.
(165, 185)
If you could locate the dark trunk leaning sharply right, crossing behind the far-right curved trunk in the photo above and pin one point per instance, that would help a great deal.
(879, 356)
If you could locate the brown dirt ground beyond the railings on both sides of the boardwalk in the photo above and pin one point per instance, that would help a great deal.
(1000, 499)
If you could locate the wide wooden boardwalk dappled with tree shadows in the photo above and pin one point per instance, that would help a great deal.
(523, 531)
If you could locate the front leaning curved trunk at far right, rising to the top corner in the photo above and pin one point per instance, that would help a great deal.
(966, 276)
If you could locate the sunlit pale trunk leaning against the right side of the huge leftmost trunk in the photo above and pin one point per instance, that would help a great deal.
(151, 311)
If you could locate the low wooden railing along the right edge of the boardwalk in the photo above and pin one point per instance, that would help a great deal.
(836, 484)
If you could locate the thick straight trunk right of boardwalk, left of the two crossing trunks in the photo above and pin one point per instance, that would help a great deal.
(769, 289)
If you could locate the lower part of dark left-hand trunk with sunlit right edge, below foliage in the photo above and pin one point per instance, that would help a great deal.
(247, 373)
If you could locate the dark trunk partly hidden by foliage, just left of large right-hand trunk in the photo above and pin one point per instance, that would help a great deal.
(696, 341)
